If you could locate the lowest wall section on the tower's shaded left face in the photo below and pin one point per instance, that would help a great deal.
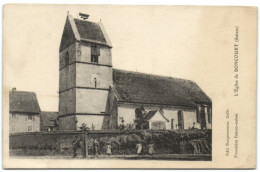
(67, 122)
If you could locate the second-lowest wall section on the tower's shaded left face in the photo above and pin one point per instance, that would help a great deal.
(67, 102)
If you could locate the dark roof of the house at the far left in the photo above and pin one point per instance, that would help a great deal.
(23, 102)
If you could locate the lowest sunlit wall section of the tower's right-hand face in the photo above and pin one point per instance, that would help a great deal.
(96, 120)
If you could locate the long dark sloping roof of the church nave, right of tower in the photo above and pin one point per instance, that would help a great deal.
(153, 89)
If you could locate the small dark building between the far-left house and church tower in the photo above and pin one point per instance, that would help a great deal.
(48, 121)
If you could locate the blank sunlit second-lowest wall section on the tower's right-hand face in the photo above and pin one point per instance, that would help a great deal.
(91, 100)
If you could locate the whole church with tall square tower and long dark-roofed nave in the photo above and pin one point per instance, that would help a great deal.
(91, 91)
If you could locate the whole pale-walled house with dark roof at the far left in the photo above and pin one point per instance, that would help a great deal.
(24, 112)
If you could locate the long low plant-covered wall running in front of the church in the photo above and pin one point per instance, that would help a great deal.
(65, 143)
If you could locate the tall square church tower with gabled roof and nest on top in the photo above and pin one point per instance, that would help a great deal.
(85, 73)
